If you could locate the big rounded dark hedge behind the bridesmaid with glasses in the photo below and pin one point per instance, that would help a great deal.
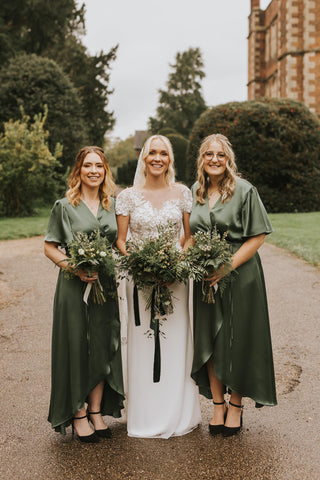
(277, 147)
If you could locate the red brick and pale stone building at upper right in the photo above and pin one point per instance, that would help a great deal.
(284, 51)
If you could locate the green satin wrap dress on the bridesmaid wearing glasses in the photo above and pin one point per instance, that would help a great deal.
(235, 331)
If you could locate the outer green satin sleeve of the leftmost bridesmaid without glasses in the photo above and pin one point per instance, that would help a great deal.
(59, 228)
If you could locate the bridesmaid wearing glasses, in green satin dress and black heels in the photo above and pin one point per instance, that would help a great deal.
(232, 343)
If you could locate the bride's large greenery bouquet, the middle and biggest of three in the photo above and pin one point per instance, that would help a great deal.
(154, 263)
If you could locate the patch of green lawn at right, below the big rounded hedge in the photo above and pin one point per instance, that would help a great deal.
(299, 233)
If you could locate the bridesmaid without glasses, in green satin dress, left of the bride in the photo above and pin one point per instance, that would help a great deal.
(86, 356)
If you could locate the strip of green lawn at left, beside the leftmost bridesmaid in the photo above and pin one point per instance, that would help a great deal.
(12, 228)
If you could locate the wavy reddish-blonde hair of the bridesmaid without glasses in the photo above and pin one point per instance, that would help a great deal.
(107, 187)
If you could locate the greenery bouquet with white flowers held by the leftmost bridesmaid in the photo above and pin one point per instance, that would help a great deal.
(92, 252)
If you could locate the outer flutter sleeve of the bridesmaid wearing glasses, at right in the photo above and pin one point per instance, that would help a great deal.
(255, 220)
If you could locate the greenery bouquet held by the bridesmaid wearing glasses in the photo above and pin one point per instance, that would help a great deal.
(210, 252)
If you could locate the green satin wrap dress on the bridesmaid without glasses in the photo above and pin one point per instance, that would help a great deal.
(85, 339)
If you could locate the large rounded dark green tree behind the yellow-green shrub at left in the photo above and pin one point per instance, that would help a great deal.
(33, 82)
